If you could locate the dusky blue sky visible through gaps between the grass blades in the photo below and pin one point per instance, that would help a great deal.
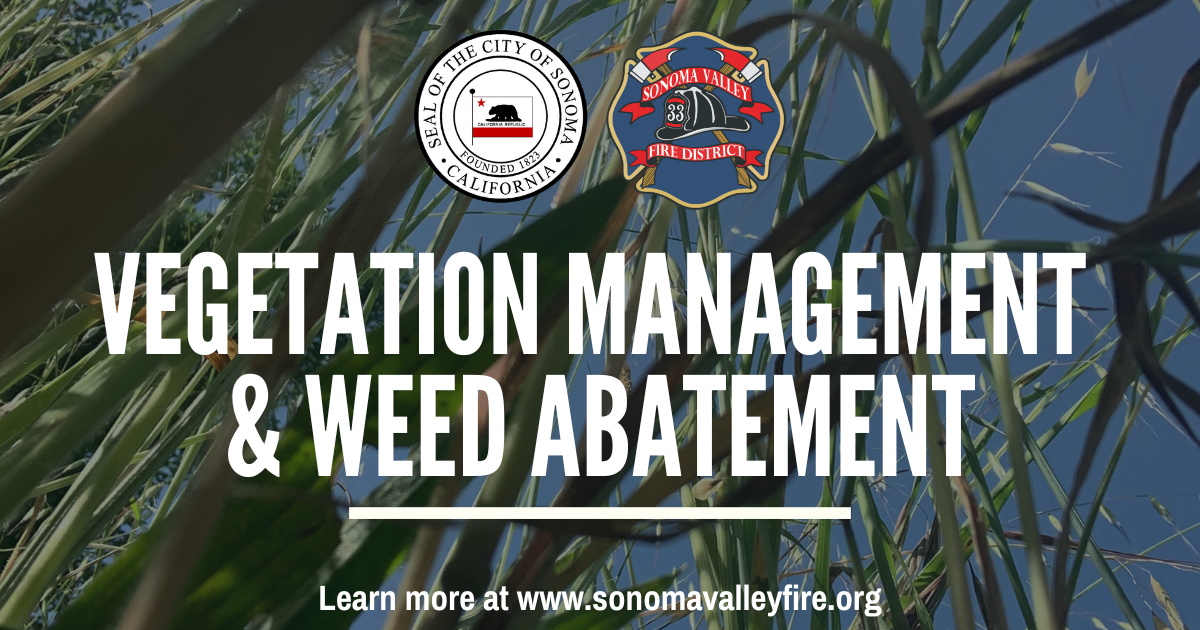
(1124, 115)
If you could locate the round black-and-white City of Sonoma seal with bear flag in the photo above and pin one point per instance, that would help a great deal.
(501, 116)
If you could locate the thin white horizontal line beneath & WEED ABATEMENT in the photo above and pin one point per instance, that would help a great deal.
(591, 514)
